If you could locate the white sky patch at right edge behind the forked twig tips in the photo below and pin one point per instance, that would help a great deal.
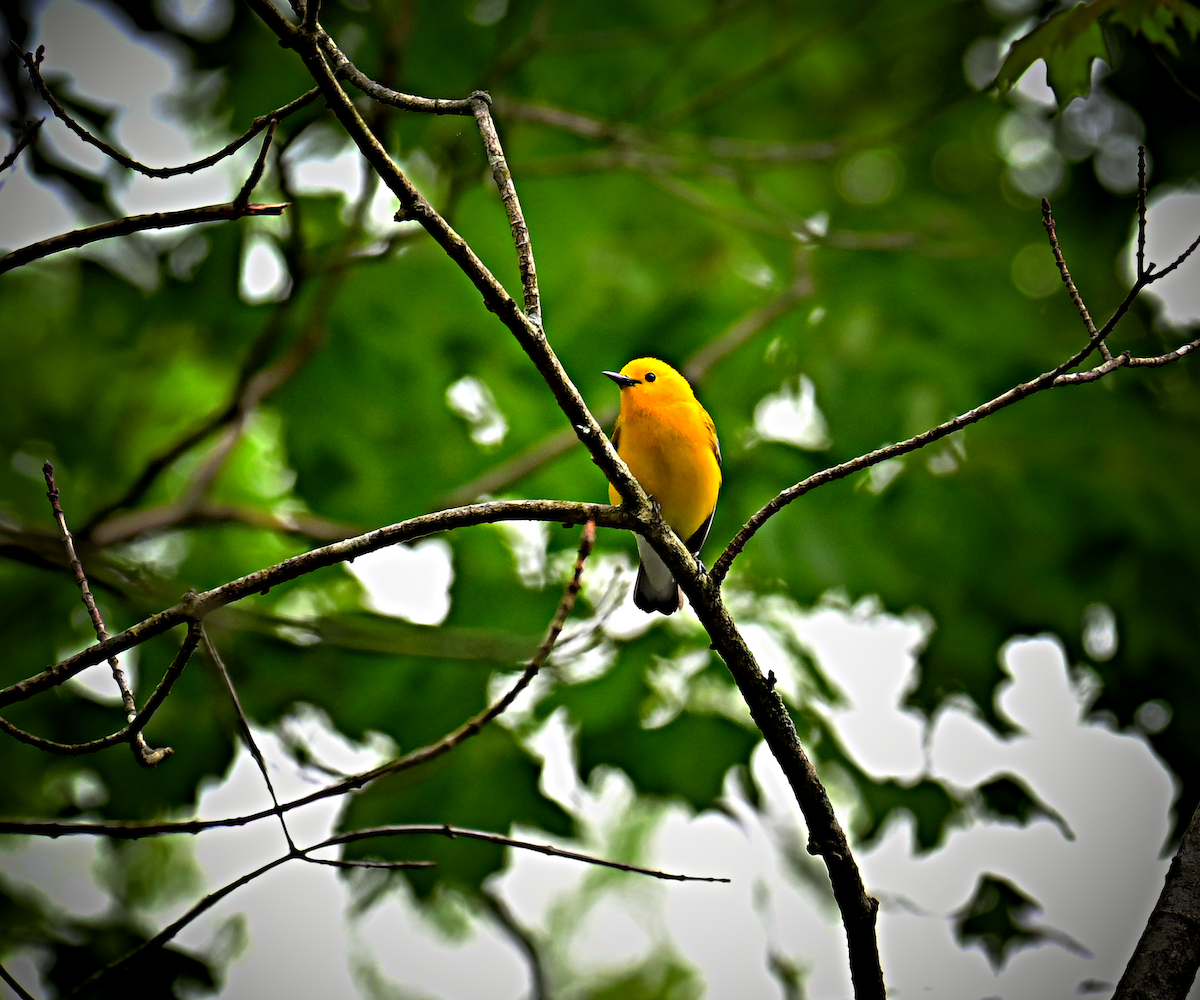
(1173, 221)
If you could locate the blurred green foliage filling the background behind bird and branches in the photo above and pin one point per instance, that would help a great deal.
(725, 130)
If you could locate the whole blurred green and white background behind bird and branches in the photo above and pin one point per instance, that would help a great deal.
(830, 219)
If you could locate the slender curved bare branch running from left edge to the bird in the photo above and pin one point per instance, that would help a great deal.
(196, 607)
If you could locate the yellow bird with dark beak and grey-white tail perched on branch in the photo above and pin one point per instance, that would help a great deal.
(669, 442)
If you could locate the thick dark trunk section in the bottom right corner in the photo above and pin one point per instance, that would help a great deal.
(1165, 963)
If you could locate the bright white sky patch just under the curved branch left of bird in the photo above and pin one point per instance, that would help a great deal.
(409, 583)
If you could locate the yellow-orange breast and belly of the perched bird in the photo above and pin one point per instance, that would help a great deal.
(671, 450)
